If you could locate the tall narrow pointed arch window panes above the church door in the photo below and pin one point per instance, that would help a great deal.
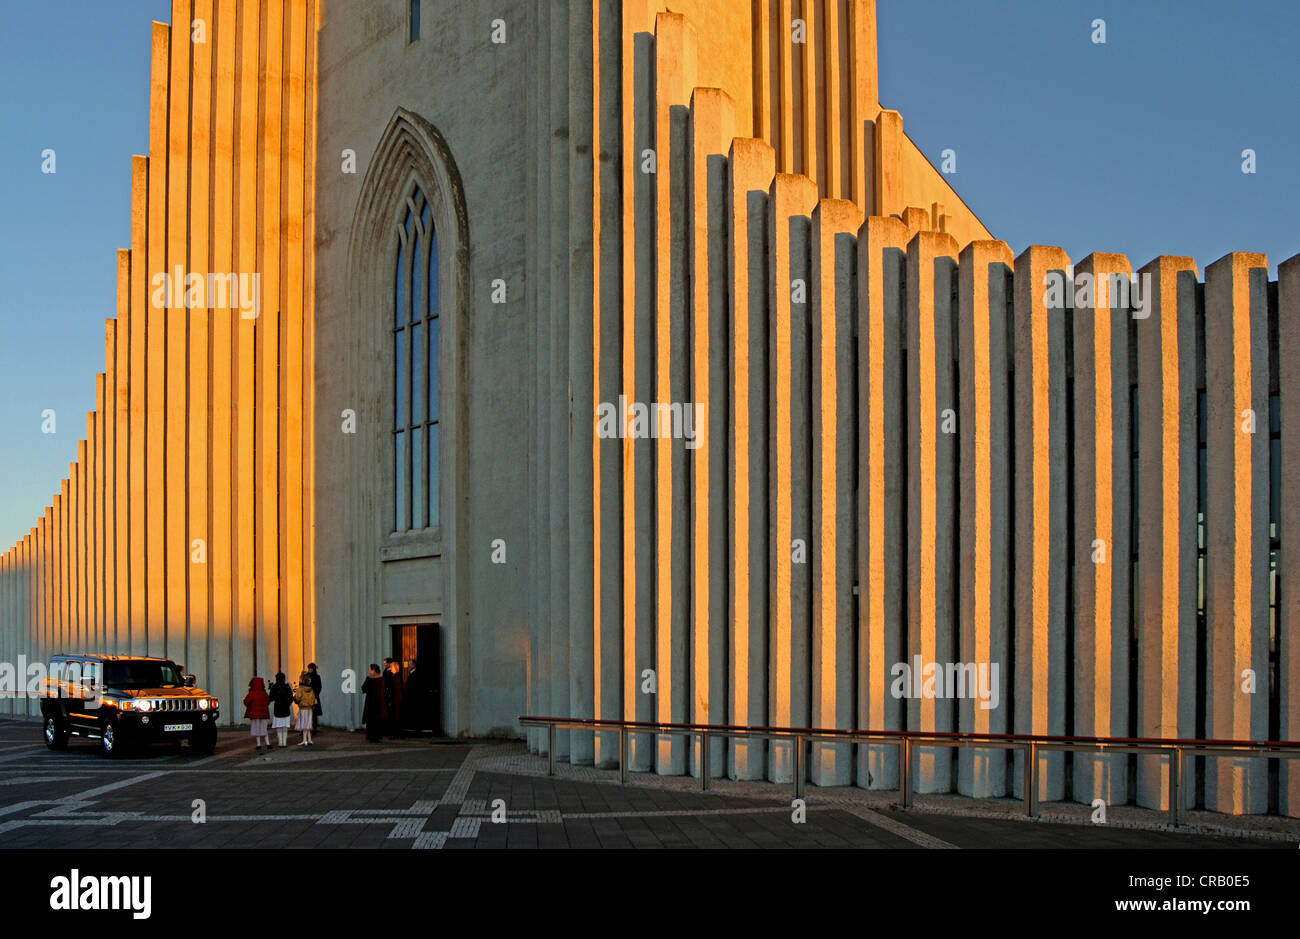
(415, 369)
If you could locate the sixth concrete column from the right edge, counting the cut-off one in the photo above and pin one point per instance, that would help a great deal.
(983, 429)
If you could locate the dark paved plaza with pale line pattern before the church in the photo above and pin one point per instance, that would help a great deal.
(414, 794)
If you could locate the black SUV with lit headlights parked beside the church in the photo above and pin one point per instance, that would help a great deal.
(124, 702)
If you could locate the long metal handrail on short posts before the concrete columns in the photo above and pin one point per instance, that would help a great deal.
(1176, 748)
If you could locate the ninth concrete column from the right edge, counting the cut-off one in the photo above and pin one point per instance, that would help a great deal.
(835, 227)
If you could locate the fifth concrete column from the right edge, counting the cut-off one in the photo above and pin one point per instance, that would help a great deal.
(1041, 509)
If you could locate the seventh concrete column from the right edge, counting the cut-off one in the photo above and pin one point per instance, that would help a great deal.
(933, 423)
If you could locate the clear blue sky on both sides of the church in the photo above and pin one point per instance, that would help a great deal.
(1134, 146)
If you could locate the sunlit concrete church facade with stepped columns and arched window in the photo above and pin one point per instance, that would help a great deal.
(475, 232)
